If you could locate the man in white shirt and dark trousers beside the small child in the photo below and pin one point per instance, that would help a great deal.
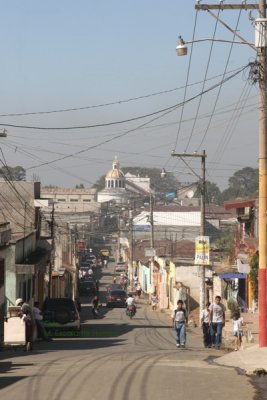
(216, 321)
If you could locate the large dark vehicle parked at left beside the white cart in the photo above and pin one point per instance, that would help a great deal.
(61, 313)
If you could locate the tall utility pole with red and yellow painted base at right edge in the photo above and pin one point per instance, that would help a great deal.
(260, 47)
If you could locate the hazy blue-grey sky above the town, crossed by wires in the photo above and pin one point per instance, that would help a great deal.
(116, 60)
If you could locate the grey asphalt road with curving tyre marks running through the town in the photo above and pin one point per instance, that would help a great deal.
(121, 359)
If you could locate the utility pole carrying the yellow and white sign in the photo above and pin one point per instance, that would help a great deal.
(202, 294)
